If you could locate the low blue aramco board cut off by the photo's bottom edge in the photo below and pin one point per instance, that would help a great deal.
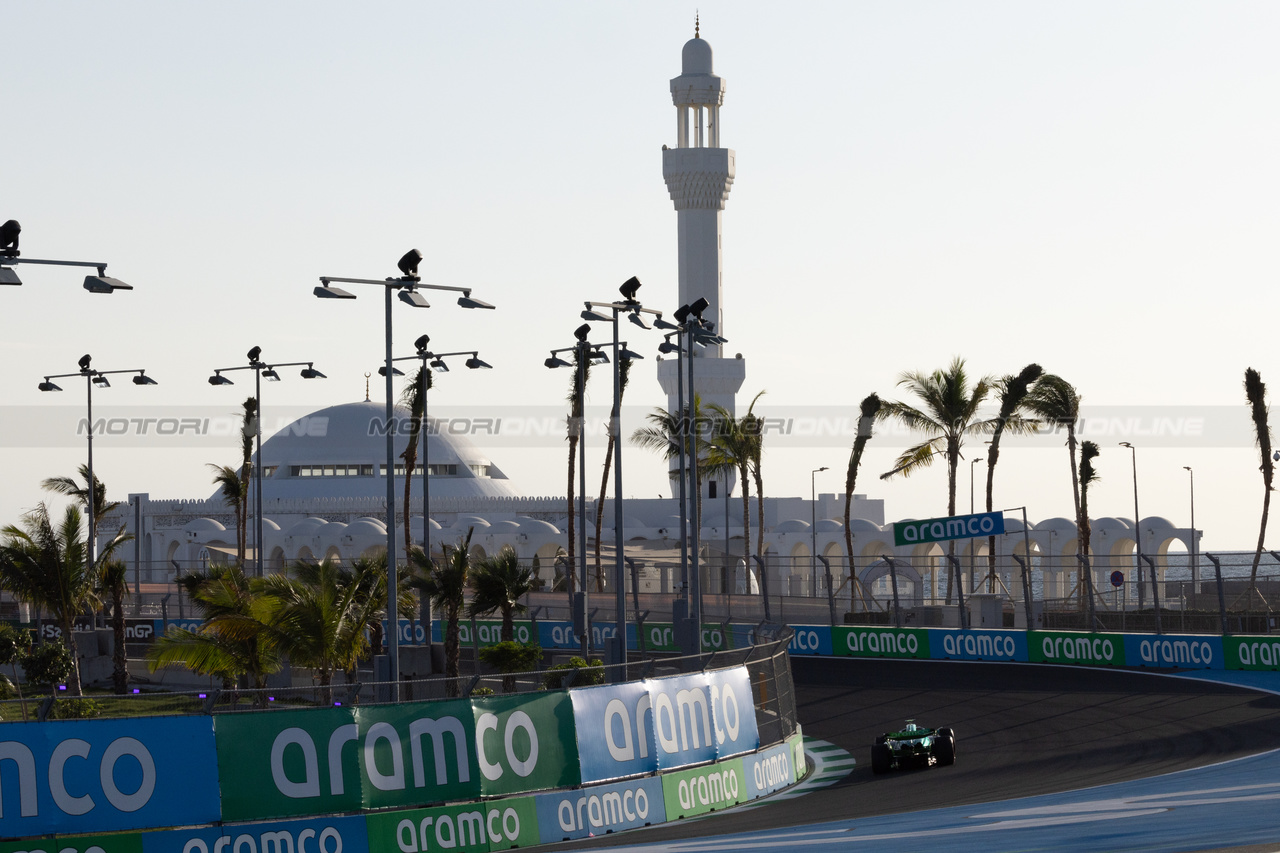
(312, 836)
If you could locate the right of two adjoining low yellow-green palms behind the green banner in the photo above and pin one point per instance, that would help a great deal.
(323, 618)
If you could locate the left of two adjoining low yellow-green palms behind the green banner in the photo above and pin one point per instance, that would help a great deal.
(237, 637)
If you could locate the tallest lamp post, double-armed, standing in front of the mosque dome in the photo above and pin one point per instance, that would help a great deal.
(408, 285)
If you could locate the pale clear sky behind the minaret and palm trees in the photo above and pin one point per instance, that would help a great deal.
(1091, 186)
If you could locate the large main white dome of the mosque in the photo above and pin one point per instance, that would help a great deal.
(341, 453)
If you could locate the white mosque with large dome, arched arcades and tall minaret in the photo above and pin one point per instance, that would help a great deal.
(324, 491)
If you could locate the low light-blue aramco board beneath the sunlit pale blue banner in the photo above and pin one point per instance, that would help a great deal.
(600, 809)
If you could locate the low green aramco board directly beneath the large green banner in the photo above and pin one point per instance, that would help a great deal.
(495, 825)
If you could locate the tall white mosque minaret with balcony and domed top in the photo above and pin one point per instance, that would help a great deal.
(700, 175)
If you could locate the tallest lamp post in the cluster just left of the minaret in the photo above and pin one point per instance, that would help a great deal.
(634, 311)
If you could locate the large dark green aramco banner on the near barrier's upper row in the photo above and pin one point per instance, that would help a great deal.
(344, 760)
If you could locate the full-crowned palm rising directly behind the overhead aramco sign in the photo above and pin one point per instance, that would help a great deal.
(949, 413)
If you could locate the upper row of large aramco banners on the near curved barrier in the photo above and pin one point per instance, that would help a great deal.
(65, 778)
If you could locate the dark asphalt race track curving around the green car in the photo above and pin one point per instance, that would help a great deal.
(1021, 731)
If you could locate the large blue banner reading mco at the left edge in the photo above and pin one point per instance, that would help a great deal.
(107, 776)
